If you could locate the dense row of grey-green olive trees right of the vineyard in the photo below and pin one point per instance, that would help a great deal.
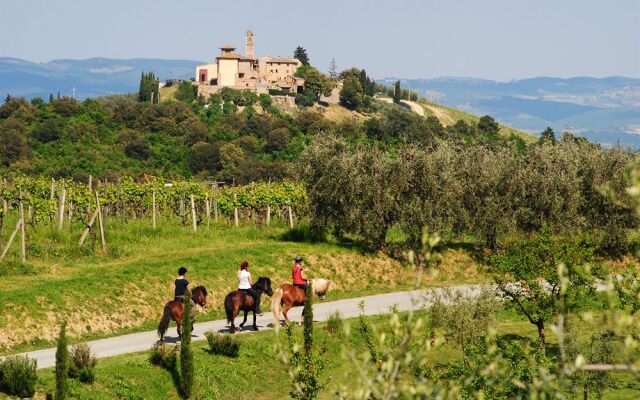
(481, 185)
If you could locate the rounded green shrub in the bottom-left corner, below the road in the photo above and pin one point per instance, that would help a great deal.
(18, 376)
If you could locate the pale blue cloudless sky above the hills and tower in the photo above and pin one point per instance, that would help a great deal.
(494, 39)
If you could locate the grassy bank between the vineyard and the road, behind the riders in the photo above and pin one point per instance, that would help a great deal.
(124, 290)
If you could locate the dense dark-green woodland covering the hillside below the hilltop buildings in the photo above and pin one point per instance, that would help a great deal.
(118, 135)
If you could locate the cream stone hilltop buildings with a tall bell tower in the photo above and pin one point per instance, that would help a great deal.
(246, 72)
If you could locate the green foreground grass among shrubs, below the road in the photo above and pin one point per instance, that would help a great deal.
(258, 374)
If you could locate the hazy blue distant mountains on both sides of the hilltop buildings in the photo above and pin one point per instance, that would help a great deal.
(605, 110)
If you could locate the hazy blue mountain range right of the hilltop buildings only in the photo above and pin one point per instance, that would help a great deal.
(605, 110)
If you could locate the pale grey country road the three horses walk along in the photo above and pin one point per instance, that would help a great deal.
(348, 308)
